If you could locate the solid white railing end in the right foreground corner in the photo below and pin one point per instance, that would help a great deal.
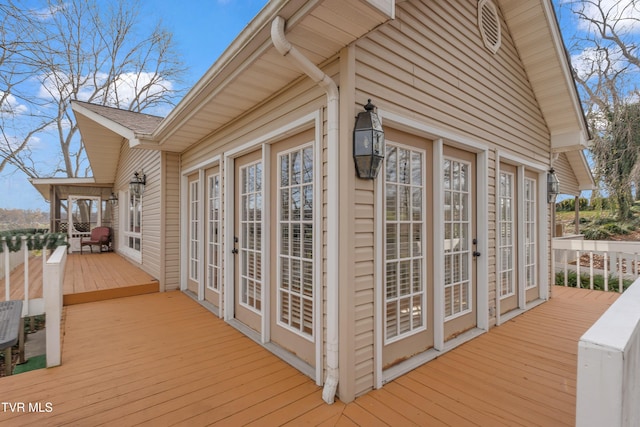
(608, 390)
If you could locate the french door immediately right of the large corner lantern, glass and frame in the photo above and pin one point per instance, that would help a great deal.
(407, 292)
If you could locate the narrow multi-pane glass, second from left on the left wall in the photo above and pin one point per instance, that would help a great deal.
(213, 251)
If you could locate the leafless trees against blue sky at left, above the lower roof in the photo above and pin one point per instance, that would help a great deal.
(76, 50)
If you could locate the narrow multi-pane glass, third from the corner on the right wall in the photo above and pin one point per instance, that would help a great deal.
(506, 239)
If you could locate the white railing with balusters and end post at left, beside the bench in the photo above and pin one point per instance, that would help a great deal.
(50, 304)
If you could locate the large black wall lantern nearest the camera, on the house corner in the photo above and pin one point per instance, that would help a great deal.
(368, 143)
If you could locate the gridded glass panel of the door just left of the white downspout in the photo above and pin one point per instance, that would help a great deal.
(295, 229)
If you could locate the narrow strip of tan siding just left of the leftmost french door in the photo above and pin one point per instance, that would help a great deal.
(171, 221)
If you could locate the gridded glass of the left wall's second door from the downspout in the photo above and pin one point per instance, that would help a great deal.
(251, 236)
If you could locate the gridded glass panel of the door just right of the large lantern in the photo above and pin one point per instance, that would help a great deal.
(404, 288)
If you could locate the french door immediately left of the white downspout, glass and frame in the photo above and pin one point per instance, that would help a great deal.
(293, 284)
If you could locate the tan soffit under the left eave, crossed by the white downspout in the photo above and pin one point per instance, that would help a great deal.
(251, 70)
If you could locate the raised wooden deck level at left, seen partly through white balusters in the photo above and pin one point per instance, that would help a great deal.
(88, 277)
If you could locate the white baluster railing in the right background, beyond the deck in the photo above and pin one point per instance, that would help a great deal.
(614, 261)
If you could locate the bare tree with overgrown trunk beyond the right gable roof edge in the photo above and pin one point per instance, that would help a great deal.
(606, 72)
